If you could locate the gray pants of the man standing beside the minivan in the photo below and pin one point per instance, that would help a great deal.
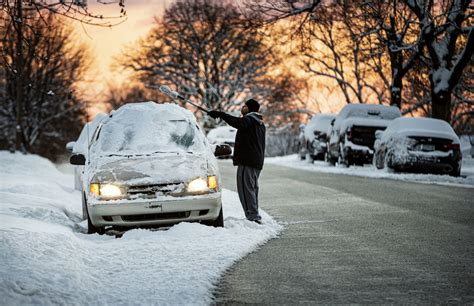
(247, 187)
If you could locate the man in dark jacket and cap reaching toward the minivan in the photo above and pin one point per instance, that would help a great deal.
(249, 153)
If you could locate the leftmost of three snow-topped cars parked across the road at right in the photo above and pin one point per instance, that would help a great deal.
(314, 142)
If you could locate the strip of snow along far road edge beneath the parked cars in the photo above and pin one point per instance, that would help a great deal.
(466, 179)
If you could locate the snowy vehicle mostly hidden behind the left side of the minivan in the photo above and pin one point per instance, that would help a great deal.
(80, 146)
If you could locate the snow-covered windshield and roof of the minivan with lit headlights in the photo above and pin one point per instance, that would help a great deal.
(148, 127)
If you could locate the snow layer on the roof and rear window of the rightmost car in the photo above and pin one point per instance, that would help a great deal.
(428, 127)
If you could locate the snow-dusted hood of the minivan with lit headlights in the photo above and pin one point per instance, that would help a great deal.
(143, 170)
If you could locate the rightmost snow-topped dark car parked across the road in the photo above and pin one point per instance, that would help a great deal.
(419, 145)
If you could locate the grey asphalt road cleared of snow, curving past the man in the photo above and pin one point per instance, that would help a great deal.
(356, 240)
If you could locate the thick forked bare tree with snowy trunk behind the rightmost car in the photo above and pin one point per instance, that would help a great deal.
(444, 25)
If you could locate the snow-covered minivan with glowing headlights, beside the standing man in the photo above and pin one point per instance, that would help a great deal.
(150, 164)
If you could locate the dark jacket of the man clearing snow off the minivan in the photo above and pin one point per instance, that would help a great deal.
(249, 149)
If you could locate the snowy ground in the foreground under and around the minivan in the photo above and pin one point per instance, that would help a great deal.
(47, 259)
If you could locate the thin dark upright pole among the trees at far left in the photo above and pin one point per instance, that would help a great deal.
(19, 73)
